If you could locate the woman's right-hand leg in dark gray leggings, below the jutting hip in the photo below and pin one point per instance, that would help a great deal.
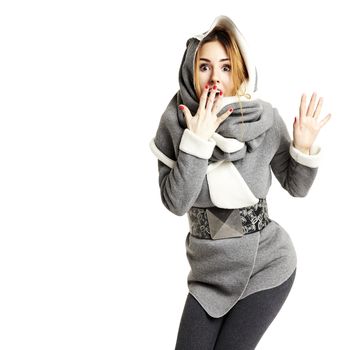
(247, 321)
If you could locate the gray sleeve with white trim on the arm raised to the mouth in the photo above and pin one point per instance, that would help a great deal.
(181, 181)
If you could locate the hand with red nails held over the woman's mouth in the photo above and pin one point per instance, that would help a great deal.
(205, 122)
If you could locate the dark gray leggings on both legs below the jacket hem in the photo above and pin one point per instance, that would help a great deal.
(240, 329)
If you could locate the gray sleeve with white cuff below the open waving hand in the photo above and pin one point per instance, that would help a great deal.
(294, 170)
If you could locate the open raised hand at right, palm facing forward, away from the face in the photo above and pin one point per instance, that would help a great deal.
(307, 126)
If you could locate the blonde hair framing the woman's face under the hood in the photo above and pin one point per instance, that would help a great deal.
(238, 68)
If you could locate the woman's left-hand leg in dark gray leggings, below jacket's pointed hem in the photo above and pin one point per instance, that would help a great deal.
(197, 330)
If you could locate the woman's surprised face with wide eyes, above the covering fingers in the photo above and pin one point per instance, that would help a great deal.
(215, 68)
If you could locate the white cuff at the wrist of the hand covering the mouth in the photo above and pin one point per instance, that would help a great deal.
(195, 145)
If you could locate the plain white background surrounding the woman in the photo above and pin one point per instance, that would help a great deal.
(89, 256)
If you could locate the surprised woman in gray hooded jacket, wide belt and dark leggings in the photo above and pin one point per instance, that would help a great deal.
(216, 144)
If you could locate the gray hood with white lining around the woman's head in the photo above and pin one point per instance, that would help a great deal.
(186, 73)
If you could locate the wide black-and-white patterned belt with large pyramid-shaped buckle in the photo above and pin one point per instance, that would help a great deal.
(218, 223)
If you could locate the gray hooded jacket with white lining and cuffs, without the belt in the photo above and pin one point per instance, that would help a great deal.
(230, 170)
